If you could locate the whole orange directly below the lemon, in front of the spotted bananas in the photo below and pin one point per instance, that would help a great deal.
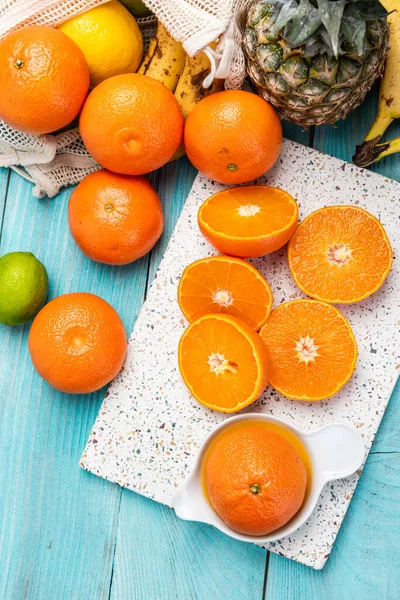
(131, 124)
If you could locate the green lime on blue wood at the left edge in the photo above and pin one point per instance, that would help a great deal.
(23, 287)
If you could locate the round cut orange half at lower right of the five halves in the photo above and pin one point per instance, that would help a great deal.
(312, 349)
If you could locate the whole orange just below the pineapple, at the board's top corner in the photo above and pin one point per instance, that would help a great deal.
(233, 136)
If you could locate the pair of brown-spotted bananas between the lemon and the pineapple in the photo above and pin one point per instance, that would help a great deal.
(167, 62)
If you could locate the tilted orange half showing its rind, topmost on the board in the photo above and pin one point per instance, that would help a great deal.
(248, 221)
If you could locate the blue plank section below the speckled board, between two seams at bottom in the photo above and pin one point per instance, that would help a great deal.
(159, 557)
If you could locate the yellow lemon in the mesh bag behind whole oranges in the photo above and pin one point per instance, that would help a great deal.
(110, 39)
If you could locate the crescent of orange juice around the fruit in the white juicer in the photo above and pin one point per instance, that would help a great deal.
(283, 431)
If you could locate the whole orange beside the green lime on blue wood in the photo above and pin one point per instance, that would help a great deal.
(77, 343)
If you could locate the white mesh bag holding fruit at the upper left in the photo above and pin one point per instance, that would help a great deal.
(54, 161)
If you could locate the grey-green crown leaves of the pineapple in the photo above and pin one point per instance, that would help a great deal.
(324, 25)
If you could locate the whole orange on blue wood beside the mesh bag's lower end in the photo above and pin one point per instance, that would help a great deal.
(115, 219)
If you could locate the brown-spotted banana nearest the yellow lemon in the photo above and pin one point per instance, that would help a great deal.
(164, 59)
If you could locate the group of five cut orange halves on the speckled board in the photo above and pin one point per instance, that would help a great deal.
(338, 254)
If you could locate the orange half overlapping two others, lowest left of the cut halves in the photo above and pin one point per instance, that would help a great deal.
(223, 362)
